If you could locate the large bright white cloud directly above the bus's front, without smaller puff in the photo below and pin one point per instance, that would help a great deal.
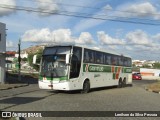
(45, 36)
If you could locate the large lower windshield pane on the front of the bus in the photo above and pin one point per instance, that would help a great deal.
(54, 66)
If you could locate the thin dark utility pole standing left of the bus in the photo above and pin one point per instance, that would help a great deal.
(19, 60)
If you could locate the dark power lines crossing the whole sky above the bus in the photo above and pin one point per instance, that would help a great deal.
(30, 9)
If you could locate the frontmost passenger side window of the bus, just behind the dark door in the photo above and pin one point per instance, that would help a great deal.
(88, 56)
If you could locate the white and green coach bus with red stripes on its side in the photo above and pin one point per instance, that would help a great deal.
(73, 67)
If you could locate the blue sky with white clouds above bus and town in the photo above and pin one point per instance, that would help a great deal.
(126, 27)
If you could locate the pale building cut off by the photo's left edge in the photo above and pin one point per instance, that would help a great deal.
(2, 51)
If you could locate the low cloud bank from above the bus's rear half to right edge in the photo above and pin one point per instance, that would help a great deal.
(136, 43)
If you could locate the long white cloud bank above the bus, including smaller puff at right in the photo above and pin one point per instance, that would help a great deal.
(59, 36)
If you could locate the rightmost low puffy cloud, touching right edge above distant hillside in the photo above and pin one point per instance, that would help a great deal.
(141, 41)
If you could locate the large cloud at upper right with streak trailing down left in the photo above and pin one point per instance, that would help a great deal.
(130, 10)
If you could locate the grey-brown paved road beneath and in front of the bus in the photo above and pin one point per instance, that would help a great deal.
(31, 98)
